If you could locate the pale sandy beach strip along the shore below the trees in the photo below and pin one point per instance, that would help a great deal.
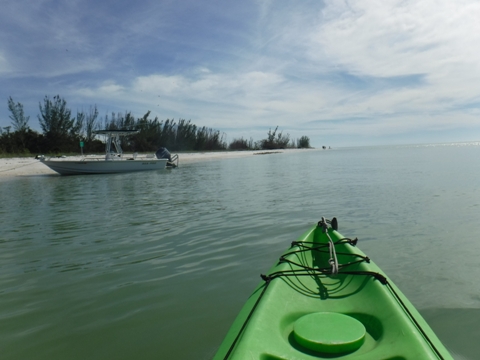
(29, 166)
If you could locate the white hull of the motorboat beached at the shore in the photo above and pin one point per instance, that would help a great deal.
(66, 167)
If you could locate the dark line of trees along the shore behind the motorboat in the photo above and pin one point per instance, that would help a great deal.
(63, 130)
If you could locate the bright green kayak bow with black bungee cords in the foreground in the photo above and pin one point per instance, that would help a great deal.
(325, 299)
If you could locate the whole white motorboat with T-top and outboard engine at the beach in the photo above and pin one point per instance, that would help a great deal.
(112, 162)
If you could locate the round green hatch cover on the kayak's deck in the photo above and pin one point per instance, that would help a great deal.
(329, 332)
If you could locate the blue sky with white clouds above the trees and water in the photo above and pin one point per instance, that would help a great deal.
(343, 73)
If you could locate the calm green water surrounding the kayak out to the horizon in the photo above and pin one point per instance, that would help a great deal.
(156, 265)
